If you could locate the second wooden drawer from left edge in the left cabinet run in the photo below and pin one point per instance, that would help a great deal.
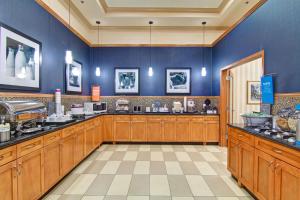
(29, 146)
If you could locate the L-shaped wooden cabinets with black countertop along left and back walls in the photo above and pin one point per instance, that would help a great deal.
(30, 165)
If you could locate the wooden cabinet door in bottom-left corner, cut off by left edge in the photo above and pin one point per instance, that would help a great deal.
(8, 183)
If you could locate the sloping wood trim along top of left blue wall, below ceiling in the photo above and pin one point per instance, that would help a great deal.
(49, 10)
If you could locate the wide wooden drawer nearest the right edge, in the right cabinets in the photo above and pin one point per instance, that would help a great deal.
(288, 155)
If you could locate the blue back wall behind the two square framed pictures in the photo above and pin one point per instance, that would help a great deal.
(162, 58)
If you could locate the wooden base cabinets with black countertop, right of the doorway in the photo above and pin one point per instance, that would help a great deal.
(269, 168)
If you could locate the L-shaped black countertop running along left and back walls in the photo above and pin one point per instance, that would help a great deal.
(25, 137)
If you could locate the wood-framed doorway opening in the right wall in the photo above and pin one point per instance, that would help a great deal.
(235, 79)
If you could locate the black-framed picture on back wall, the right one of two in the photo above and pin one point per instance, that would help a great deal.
(178, 81)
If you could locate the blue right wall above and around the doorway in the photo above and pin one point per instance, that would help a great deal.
(274, 27)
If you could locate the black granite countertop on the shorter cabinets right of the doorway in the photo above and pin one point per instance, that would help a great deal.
(251, 130)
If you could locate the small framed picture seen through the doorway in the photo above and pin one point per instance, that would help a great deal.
(253, 92)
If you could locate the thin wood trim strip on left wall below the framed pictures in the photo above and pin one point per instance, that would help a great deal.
(38, 95)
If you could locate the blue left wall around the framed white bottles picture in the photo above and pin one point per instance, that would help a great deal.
(28, 17)
